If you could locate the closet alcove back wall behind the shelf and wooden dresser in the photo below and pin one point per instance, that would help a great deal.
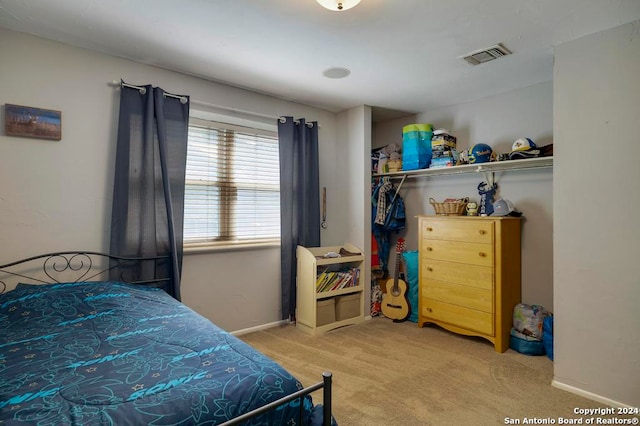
(498, 121)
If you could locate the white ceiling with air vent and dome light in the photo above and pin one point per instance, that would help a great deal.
(403, 54)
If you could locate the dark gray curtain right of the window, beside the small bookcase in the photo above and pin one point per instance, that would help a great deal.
(299, 200)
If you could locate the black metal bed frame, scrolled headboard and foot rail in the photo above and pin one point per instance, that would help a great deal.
(81, 263)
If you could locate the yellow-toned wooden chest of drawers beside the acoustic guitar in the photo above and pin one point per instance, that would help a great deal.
(470, 275)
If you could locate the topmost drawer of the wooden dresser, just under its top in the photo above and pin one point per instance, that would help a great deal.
(475, 231)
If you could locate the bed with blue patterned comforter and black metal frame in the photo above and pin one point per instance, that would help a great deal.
(79, 349)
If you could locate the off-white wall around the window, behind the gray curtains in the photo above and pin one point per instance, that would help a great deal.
(57, 195)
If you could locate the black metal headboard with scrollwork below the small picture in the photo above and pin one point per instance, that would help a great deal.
(78, 266)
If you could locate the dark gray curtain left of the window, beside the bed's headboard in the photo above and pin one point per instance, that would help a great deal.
(148, 194)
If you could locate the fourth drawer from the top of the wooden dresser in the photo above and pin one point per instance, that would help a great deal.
(460, 295)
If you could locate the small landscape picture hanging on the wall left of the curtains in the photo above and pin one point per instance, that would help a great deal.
(32, 122)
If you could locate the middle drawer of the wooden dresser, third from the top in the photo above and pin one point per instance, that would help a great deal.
(469, 275)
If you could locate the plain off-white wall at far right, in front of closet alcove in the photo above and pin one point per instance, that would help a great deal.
(596, 205)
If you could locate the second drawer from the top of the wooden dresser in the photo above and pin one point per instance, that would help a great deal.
(454, 251)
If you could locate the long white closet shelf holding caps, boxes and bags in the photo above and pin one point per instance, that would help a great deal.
(497, 166)
